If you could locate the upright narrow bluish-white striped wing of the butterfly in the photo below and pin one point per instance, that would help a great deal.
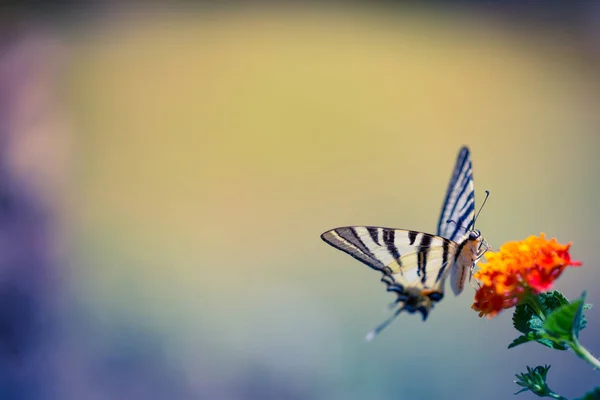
(458, 211)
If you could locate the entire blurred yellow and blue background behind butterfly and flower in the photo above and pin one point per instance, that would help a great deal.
(166, 171)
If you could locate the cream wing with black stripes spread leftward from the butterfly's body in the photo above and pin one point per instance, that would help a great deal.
(414, 264)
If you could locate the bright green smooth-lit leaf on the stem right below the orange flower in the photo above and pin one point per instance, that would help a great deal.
(564, 323)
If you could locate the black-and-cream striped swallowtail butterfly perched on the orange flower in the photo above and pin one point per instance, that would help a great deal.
(415, 265)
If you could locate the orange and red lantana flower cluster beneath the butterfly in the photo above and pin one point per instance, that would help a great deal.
(519, 269)
